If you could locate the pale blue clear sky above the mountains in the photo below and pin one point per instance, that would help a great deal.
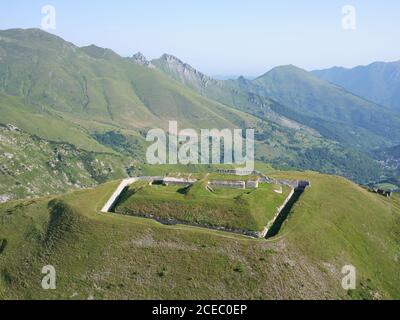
(225, 36)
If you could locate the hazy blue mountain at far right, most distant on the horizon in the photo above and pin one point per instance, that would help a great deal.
(378, 82)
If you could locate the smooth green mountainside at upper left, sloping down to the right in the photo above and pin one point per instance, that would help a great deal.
(97, 85)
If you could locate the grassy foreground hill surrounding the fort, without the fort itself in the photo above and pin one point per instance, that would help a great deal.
(112, 256)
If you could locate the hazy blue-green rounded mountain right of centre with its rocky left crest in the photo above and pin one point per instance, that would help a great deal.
(256, 96)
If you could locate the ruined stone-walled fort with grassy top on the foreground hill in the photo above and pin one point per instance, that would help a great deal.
(206, 199)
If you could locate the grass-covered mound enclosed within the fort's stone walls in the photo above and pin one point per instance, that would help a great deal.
(240, 209)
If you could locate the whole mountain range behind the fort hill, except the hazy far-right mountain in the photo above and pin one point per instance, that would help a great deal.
(97, 101)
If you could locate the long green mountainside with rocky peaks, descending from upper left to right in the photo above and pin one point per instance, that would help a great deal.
(91, 96)
